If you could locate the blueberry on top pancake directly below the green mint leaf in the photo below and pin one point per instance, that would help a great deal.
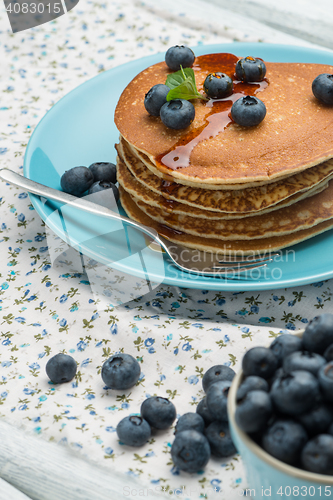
(177, 114)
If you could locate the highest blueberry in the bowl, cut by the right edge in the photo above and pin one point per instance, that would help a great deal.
(318, 334)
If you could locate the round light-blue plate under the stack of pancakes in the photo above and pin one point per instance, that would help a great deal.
(80, 130)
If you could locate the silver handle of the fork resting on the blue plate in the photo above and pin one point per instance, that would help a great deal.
(81, 203)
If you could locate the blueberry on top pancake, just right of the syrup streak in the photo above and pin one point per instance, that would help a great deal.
(248, 111)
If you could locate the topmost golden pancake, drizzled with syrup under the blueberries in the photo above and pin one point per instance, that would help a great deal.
(295, 135)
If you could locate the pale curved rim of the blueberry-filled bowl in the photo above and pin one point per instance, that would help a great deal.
(259, 452)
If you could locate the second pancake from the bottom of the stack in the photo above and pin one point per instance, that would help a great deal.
(302, 215)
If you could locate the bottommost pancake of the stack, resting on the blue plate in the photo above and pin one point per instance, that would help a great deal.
(236, 247)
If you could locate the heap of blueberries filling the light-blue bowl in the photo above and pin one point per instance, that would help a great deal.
(285, 400)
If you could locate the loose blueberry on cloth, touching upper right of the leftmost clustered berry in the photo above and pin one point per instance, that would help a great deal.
(160, 413)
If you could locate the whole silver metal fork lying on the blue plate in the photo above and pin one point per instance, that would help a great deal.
(187, 259)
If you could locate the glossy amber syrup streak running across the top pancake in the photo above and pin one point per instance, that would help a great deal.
(218, 110)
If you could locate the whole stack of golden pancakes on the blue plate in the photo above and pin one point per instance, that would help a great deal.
(220, 187)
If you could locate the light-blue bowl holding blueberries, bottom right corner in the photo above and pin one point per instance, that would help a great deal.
(267, 476)
